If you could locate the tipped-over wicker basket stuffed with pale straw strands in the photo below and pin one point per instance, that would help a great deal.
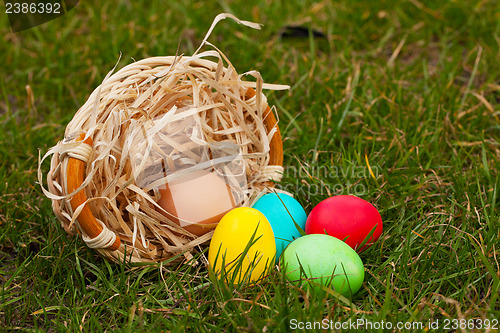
(93, 180)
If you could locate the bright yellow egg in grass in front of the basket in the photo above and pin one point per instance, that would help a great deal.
(231, 238)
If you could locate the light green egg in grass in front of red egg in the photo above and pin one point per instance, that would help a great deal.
(321, 260)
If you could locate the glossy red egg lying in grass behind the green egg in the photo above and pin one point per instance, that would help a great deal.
(348, 218)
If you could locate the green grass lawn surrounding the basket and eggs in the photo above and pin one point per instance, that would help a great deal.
(410, 87)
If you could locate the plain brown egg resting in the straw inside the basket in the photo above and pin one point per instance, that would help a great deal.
(197, 202)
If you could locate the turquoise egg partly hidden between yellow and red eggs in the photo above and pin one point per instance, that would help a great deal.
(281, 214)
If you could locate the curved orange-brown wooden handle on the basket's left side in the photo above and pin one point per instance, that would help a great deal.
(86, 220)
